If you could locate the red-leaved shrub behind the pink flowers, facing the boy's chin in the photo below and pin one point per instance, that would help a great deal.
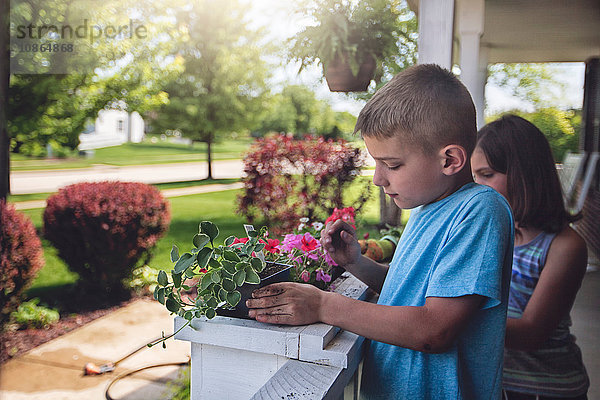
(287, 179)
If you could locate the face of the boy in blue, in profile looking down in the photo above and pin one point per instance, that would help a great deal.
(410, 177)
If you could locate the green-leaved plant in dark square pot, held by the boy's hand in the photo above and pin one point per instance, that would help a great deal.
(210, 279)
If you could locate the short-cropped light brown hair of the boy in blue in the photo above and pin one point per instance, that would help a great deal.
(425, 105)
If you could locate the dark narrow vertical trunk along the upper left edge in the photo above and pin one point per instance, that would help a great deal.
(4, 81)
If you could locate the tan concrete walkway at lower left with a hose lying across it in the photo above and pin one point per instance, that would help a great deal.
(54, 370)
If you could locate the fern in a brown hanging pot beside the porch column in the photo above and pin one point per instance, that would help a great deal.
(350, 40)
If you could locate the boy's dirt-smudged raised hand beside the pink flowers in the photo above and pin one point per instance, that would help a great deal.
(339, 240)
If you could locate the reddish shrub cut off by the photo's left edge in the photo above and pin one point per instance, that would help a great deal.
(21, 257)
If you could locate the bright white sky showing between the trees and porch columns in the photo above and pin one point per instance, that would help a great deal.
(277, 16)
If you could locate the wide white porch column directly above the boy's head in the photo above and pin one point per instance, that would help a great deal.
(436, 23)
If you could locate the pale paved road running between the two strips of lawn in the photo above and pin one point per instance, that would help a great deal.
(47, 181)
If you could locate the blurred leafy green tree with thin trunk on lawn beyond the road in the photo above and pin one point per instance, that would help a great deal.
(223, 82)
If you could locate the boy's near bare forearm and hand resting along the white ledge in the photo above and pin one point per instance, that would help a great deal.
(431, 328)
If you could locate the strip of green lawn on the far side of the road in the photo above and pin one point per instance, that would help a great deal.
(139, 153)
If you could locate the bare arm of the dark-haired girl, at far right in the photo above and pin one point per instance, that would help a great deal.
(553, 295)
